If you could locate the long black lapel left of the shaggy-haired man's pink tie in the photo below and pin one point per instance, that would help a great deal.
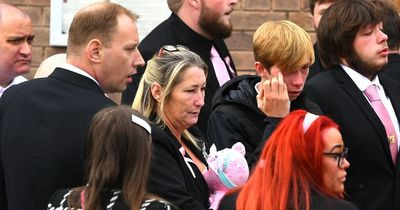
(359, 99)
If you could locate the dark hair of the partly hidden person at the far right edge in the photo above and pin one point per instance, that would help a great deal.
(391, 23)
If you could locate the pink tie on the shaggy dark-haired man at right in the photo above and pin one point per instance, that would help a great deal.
(372, 95)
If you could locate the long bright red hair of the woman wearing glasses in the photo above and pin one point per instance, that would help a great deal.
(289, 168)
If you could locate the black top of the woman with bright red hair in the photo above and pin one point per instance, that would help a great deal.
(318, 202)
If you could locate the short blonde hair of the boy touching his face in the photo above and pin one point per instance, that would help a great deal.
(284, 44)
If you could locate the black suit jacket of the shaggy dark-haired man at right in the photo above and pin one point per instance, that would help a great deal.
(373, 182)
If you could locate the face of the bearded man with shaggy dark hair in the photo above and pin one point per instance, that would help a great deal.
(370, 51)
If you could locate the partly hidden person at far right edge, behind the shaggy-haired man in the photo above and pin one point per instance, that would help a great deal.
(391, 27)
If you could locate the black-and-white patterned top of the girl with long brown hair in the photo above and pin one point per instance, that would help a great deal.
(111, 200)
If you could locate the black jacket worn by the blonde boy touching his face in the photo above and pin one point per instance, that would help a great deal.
(236, 117)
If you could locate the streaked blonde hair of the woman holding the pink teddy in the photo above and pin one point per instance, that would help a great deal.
(166, 70)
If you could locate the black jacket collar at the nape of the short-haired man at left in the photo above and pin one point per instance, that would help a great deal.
(75, 79)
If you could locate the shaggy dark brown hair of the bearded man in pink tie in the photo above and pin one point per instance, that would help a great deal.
(338, 28)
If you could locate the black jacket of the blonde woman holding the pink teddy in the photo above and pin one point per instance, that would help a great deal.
(171, 178)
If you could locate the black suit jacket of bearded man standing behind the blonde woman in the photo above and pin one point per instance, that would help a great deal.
(174, 31)
